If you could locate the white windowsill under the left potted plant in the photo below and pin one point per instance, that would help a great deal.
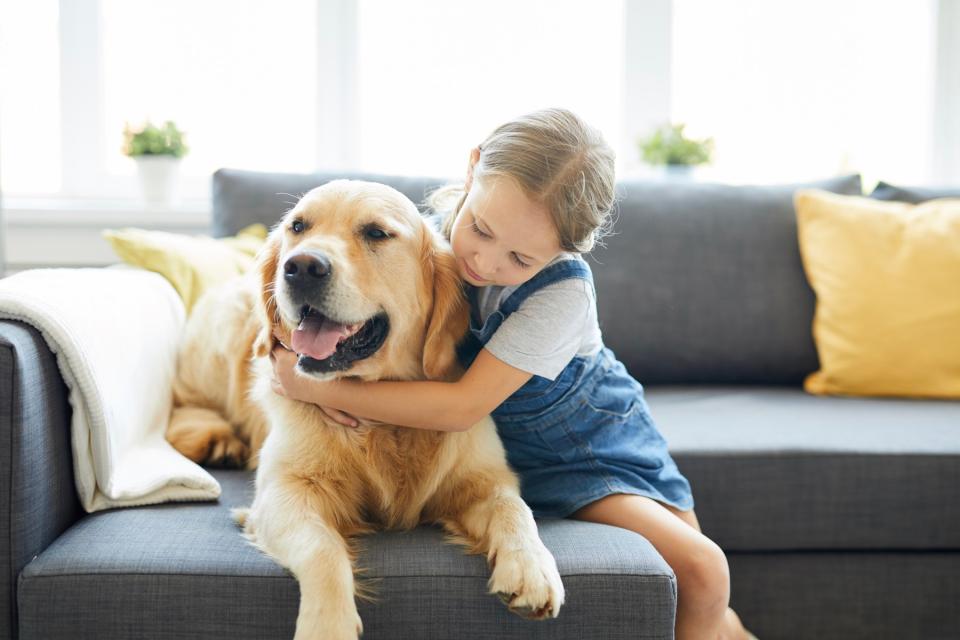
(99, 213)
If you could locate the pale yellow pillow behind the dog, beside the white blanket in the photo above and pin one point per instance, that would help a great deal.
(192, 264)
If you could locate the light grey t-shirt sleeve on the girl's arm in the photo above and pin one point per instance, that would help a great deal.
(545, 333)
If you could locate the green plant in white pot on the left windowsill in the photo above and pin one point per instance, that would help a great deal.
(157, 152)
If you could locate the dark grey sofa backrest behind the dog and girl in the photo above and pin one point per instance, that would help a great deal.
(700, 283)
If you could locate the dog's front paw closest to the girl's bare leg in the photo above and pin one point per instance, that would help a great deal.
(527, 581)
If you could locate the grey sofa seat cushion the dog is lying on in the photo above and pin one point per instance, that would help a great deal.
(184, 571)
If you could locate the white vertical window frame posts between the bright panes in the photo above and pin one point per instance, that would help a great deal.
(645, 98)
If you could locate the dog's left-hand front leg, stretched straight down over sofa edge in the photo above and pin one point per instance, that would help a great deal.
(316, 553)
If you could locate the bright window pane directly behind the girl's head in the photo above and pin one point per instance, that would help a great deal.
(435, 77)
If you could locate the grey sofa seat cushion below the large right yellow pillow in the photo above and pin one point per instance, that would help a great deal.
(778, 469)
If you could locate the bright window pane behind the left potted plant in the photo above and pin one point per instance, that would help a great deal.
(239, 76)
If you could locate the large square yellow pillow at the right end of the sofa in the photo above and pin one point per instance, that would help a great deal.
(887, 280)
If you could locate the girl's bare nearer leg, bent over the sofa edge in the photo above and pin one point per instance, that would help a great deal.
(703, 578)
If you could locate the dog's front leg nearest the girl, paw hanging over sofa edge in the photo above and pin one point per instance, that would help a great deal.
(524, 573)
